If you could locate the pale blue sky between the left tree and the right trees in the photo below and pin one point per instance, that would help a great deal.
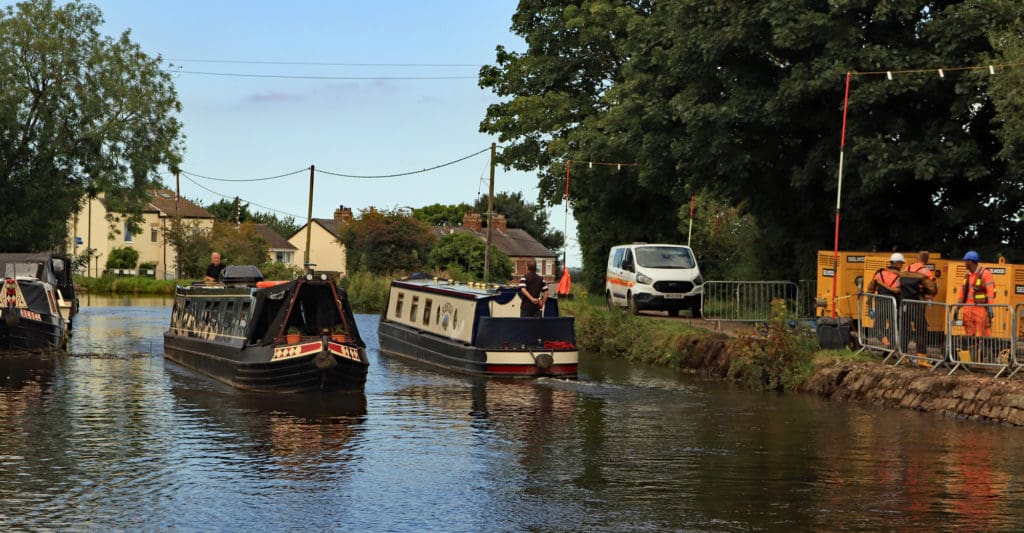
(260, 127)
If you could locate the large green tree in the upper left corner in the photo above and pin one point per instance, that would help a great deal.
(80, 115)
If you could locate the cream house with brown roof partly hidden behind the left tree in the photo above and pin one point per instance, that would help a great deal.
(90, 229)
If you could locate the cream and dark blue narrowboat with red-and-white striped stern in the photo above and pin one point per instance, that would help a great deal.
(476, 330)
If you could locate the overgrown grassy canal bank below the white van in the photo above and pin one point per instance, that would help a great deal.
(777, 357)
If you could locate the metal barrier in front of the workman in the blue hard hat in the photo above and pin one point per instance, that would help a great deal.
(982, 337)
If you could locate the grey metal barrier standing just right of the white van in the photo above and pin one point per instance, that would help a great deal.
(747, 301)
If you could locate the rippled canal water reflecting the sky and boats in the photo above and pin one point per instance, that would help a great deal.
(113, 437)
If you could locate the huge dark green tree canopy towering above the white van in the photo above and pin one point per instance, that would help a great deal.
(745, 100)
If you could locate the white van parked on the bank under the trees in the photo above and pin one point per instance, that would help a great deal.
(654, 277)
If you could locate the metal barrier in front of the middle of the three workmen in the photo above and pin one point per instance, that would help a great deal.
(924, 331)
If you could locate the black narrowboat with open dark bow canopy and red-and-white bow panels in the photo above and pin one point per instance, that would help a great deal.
(269, 336)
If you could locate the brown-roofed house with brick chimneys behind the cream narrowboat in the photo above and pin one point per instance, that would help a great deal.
(520, 246)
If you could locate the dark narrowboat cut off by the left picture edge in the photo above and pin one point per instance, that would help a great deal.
(38, 302)
